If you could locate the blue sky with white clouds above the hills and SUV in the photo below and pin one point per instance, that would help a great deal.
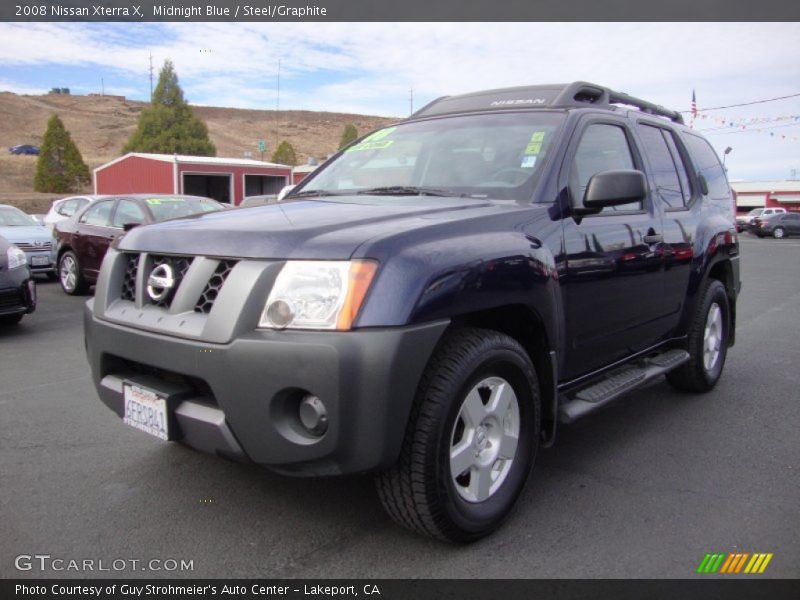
(370, 67)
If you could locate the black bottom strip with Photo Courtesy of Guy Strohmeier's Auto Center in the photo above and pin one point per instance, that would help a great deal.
(394, 589)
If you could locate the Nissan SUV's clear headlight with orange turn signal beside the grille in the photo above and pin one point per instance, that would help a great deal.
(318, 294)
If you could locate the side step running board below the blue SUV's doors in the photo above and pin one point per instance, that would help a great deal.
(617, 383)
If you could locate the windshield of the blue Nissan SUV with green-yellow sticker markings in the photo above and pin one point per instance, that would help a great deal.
(479, 156)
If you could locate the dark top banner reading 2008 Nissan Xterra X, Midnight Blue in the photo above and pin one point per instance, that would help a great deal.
(400, 11)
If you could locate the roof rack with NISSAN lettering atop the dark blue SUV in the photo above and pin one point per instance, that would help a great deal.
(571, 95)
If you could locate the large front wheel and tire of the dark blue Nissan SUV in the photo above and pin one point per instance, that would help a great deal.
(471, 439)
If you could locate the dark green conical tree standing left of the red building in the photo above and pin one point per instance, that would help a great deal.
(60, 167)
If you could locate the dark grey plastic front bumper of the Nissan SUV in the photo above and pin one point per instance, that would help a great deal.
(240, 399)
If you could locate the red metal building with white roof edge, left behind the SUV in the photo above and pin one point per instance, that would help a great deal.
(224, 179)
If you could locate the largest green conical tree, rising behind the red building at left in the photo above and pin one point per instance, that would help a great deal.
(169, 126)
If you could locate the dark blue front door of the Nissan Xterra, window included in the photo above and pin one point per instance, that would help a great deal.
(614, 278)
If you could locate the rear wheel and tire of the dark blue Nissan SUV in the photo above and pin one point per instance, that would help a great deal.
(708, 342)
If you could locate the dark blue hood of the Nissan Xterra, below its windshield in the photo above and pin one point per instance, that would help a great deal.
(302, 229)
